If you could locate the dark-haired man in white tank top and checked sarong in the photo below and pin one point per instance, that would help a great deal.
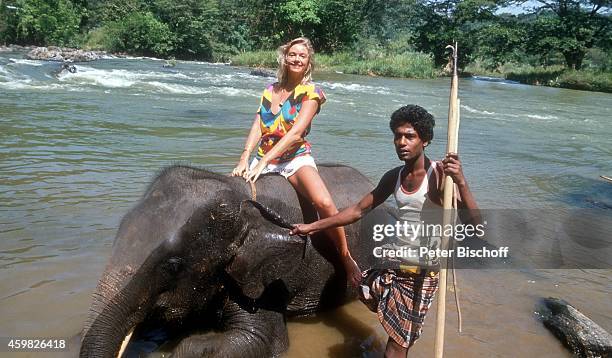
(402, 295)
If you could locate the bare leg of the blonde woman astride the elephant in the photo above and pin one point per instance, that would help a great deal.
(308, 183)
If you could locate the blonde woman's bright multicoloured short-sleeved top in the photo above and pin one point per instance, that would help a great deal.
(275, 125)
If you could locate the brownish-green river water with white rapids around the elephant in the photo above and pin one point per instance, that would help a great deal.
(78, 149)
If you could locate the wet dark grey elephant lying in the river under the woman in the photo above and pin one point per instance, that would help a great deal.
(195, 251)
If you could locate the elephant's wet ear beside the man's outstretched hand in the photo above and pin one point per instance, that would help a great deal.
(267, 254)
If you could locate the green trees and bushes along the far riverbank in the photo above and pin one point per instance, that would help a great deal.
(378, 37)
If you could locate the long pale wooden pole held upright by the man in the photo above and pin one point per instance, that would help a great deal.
(451, 147)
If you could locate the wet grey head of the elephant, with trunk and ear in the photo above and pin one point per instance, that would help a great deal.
(173, 252)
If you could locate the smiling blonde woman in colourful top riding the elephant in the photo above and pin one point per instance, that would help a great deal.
(283, 119)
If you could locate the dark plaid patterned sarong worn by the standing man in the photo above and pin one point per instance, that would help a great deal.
(401, 301)
